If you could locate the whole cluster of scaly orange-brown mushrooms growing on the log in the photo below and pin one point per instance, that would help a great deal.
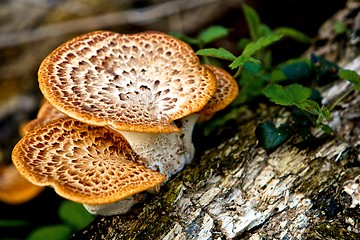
(118, 117)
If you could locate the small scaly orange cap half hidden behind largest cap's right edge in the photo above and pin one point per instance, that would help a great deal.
(226, 91)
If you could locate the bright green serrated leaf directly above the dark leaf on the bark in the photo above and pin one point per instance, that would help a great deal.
(294, 94)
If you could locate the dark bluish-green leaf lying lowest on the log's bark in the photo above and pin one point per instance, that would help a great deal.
(270, 136)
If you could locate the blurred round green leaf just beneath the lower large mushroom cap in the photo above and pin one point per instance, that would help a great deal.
(74, 214)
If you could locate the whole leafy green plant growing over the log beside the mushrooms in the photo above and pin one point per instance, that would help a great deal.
(287, 84)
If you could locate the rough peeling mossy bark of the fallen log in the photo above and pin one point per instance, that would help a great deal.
(237, 190)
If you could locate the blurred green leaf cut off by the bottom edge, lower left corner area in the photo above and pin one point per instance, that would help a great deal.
(53, 232)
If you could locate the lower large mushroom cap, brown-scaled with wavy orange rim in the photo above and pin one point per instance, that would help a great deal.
(84, 163)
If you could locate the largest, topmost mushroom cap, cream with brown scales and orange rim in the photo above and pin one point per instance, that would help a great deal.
(133, 82)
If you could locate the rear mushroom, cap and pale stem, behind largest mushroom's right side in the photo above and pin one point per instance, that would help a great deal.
(226, 92)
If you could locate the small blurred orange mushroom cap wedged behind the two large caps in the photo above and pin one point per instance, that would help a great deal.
(46, 114)
